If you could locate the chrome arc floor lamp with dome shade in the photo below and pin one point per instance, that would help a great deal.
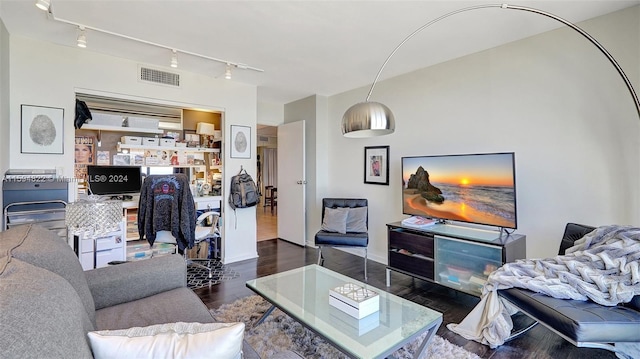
(368, 119)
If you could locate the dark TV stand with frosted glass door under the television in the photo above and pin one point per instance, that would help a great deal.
(454, 256)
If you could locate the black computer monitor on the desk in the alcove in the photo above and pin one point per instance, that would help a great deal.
(114, 180)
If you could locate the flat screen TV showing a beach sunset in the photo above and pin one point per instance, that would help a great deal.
(471, 188)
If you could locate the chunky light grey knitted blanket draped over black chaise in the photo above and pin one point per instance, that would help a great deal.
(603, 266)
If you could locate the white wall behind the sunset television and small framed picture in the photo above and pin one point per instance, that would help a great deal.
(554, 99)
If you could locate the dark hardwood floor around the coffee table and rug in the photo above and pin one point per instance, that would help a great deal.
(278, 256)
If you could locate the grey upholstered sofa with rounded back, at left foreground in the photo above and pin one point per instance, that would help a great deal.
(48, 304)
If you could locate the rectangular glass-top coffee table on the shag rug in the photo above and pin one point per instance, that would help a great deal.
(303, 294)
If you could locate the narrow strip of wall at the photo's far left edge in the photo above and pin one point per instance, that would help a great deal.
(4, 101)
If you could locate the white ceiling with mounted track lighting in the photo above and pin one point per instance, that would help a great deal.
(304, 47)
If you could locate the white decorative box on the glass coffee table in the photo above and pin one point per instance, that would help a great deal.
(355, 300)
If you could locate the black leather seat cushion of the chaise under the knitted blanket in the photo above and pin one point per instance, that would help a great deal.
(581, 321)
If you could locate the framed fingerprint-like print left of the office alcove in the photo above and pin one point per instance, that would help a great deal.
(42, 129)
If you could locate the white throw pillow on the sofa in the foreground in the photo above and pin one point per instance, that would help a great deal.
(172, 340)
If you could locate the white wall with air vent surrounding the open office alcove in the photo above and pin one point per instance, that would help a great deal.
(48, 75)
